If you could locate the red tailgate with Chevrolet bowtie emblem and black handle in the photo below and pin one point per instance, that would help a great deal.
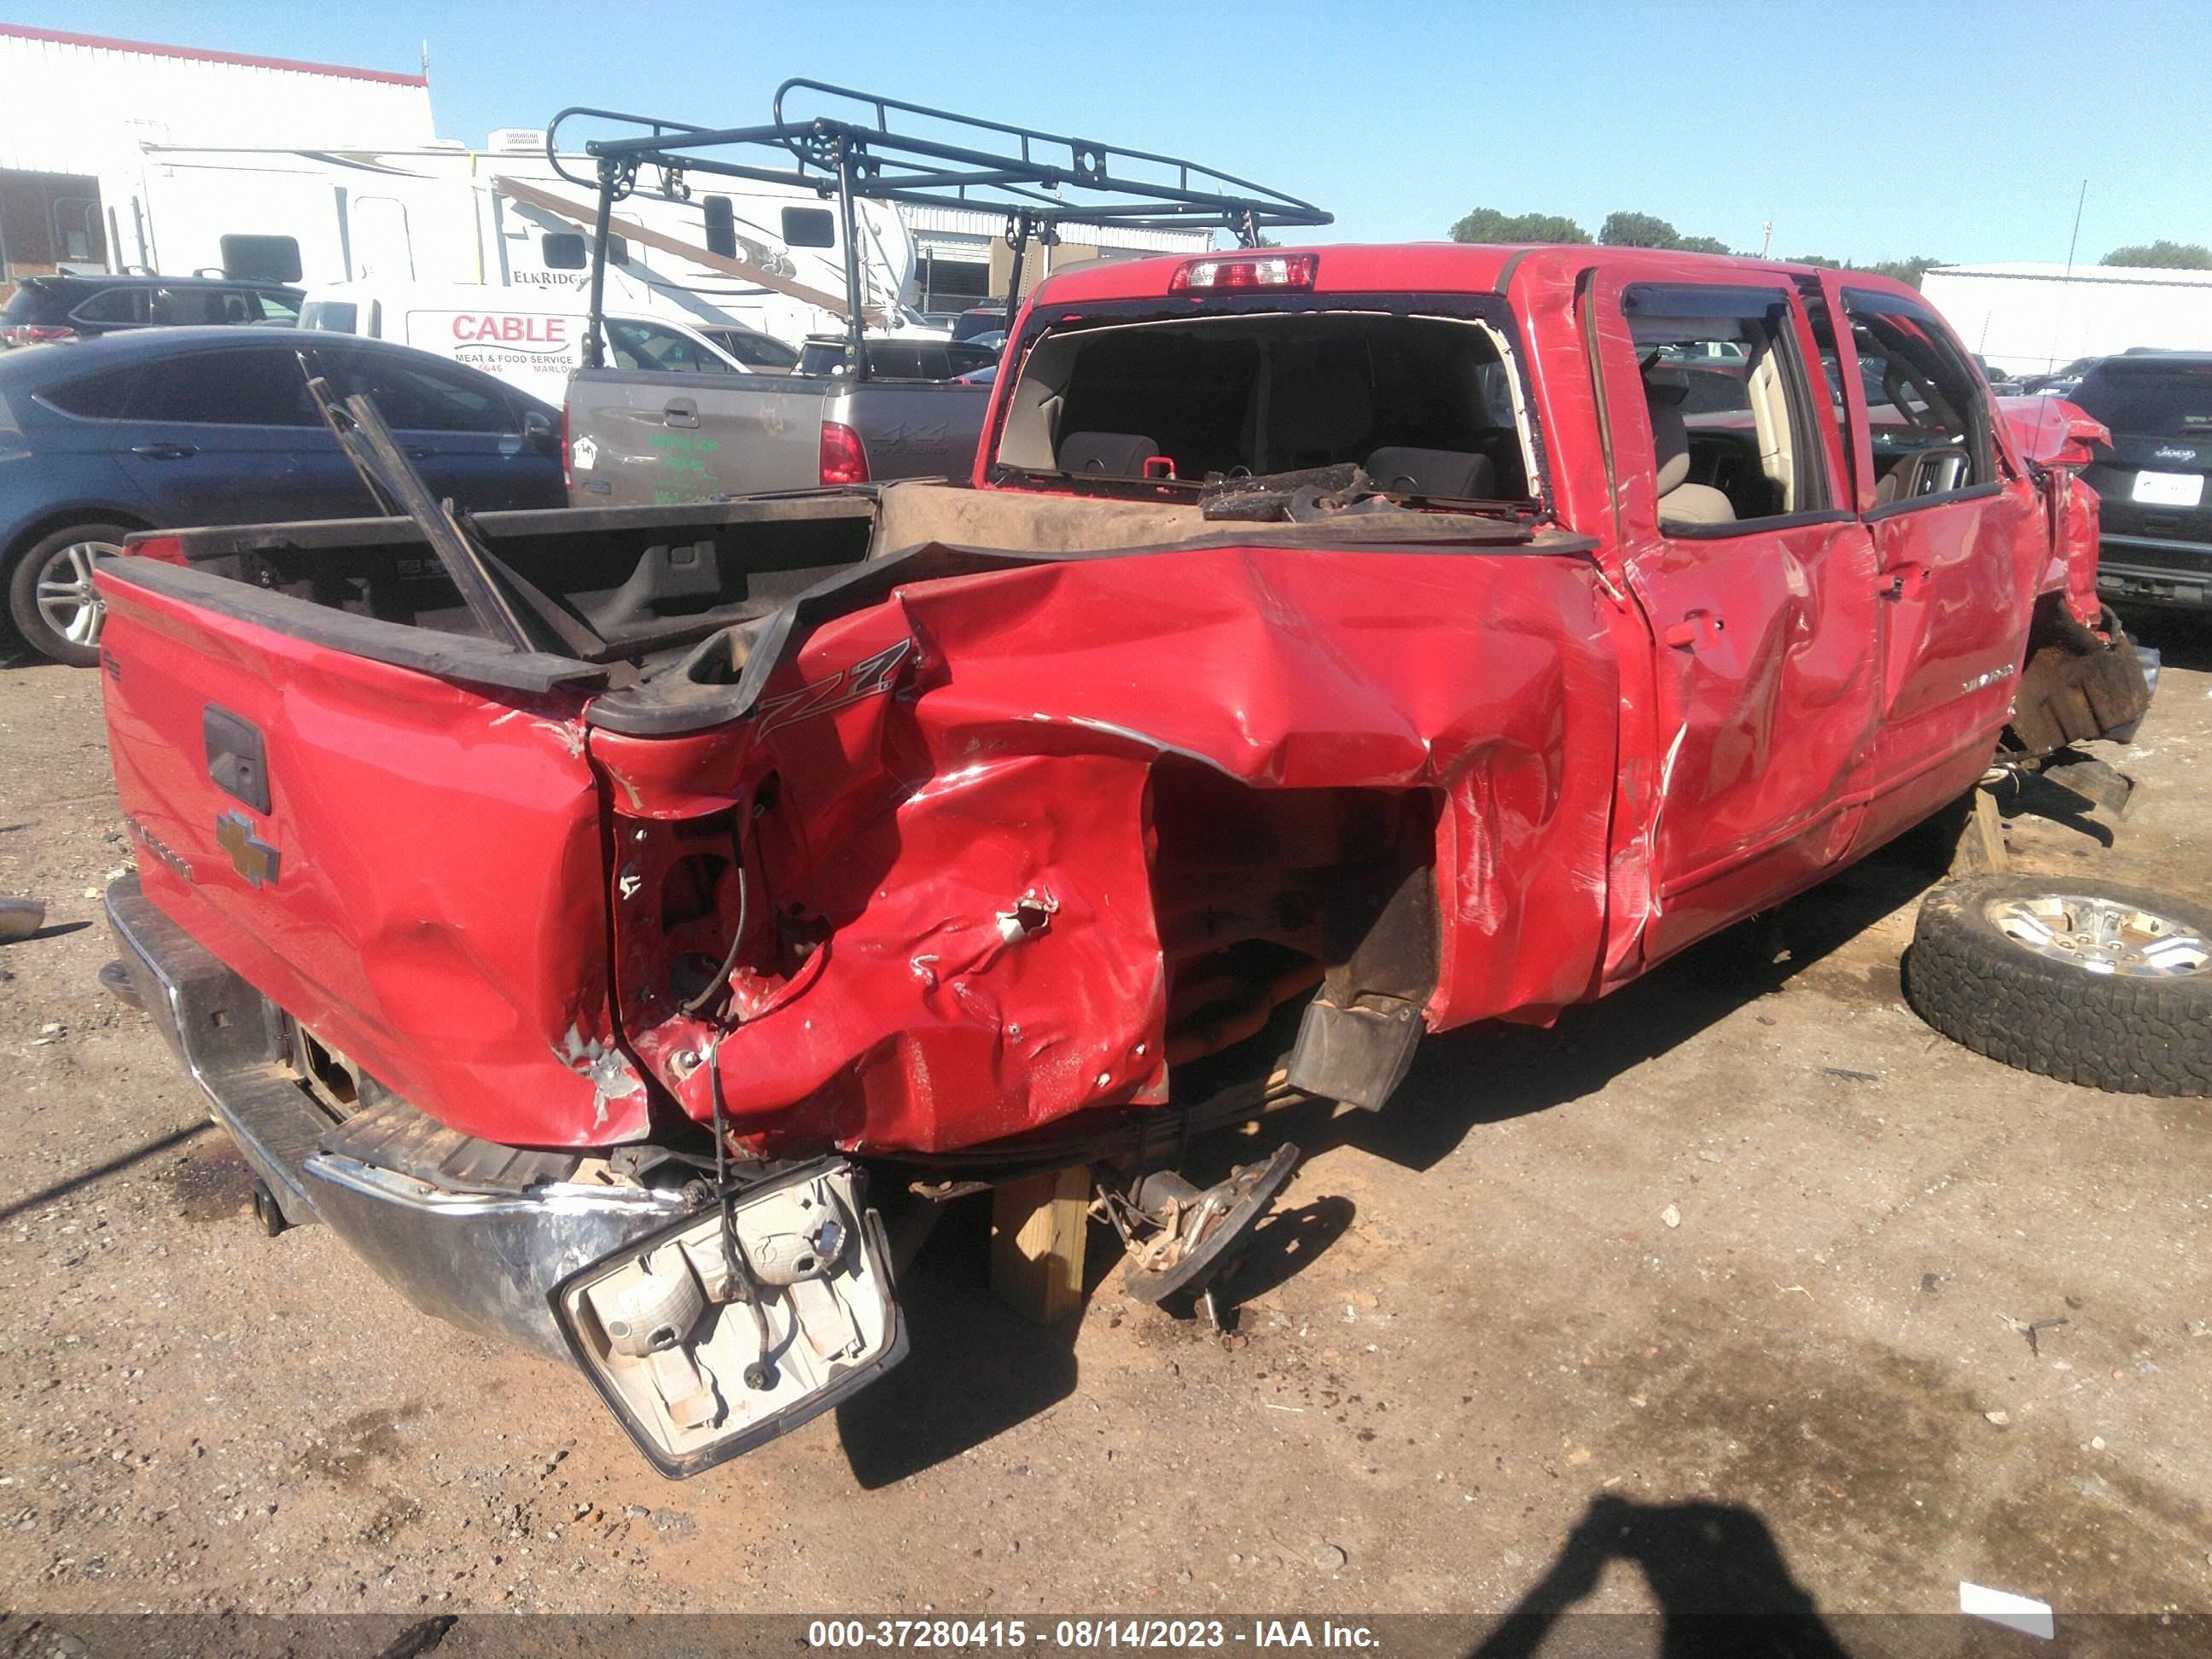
(408, 864)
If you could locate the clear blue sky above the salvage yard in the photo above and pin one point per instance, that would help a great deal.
(1861, 129)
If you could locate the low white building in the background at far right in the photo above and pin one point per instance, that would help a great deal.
(2034, 320)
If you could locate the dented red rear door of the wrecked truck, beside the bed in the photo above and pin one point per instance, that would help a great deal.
(1757, 583)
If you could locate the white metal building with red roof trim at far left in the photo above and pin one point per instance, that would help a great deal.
(79, 107)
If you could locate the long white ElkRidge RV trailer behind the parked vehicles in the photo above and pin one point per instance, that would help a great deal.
(503, 218)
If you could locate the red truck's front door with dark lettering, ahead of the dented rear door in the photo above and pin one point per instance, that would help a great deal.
(1961, 545)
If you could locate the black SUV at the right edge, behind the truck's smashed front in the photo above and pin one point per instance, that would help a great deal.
(2151, 481)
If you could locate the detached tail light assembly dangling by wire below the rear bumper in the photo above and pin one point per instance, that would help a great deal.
(671, 1326)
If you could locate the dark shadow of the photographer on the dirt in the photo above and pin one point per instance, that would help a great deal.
(1713, 1569)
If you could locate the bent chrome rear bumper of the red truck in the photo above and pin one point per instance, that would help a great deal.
(468, 1231)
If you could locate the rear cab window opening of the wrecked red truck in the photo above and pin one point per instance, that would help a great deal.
(1421, 393)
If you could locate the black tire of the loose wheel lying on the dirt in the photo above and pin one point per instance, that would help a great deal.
(1985, 988)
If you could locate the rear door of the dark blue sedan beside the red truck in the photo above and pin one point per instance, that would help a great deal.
(229, 435)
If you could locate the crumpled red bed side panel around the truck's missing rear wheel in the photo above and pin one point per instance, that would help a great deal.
(966, 857)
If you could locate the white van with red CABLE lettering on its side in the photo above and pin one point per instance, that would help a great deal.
(528, 337)
